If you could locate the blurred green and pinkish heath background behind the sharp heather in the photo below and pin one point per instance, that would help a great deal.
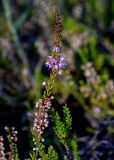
(26, 35)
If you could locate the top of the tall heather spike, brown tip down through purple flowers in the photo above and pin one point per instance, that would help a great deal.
(55, 62)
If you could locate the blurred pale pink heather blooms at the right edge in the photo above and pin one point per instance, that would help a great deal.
(99, 94)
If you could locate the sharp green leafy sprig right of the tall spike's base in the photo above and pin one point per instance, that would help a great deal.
(62, 130)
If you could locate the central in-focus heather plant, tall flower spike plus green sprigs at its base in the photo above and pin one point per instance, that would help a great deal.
(55, 63)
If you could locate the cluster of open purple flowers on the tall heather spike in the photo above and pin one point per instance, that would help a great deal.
(56, 63)
